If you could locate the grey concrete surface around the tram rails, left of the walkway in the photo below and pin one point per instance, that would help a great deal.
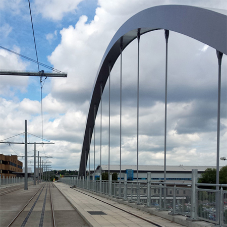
(12, 203)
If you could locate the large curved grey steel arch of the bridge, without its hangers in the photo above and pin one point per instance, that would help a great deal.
(208, 26)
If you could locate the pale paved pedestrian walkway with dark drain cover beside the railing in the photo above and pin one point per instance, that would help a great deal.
(99, 211)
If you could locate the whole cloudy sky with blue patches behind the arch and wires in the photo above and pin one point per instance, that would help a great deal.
(72, 36)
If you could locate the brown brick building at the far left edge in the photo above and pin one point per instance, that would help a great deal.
(10, 165)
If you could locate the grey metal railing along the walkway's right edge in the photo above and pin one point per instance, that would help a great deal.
(185, 199)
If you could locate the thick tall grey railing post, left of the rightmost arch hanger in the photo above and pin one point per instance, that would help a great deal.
(194, 193)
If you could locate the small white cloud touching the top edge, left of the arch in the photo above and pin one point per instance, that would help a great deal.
(56, 9)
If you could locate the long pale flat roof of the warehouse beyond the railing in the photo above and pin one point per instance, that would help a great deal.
(154, 168)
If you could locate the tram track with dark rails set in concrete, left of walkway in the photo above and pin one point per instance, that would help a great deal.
(40, 209)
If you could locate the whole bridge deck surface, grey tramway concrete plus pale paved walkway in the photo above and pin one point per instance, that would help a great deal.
(114, 213)
